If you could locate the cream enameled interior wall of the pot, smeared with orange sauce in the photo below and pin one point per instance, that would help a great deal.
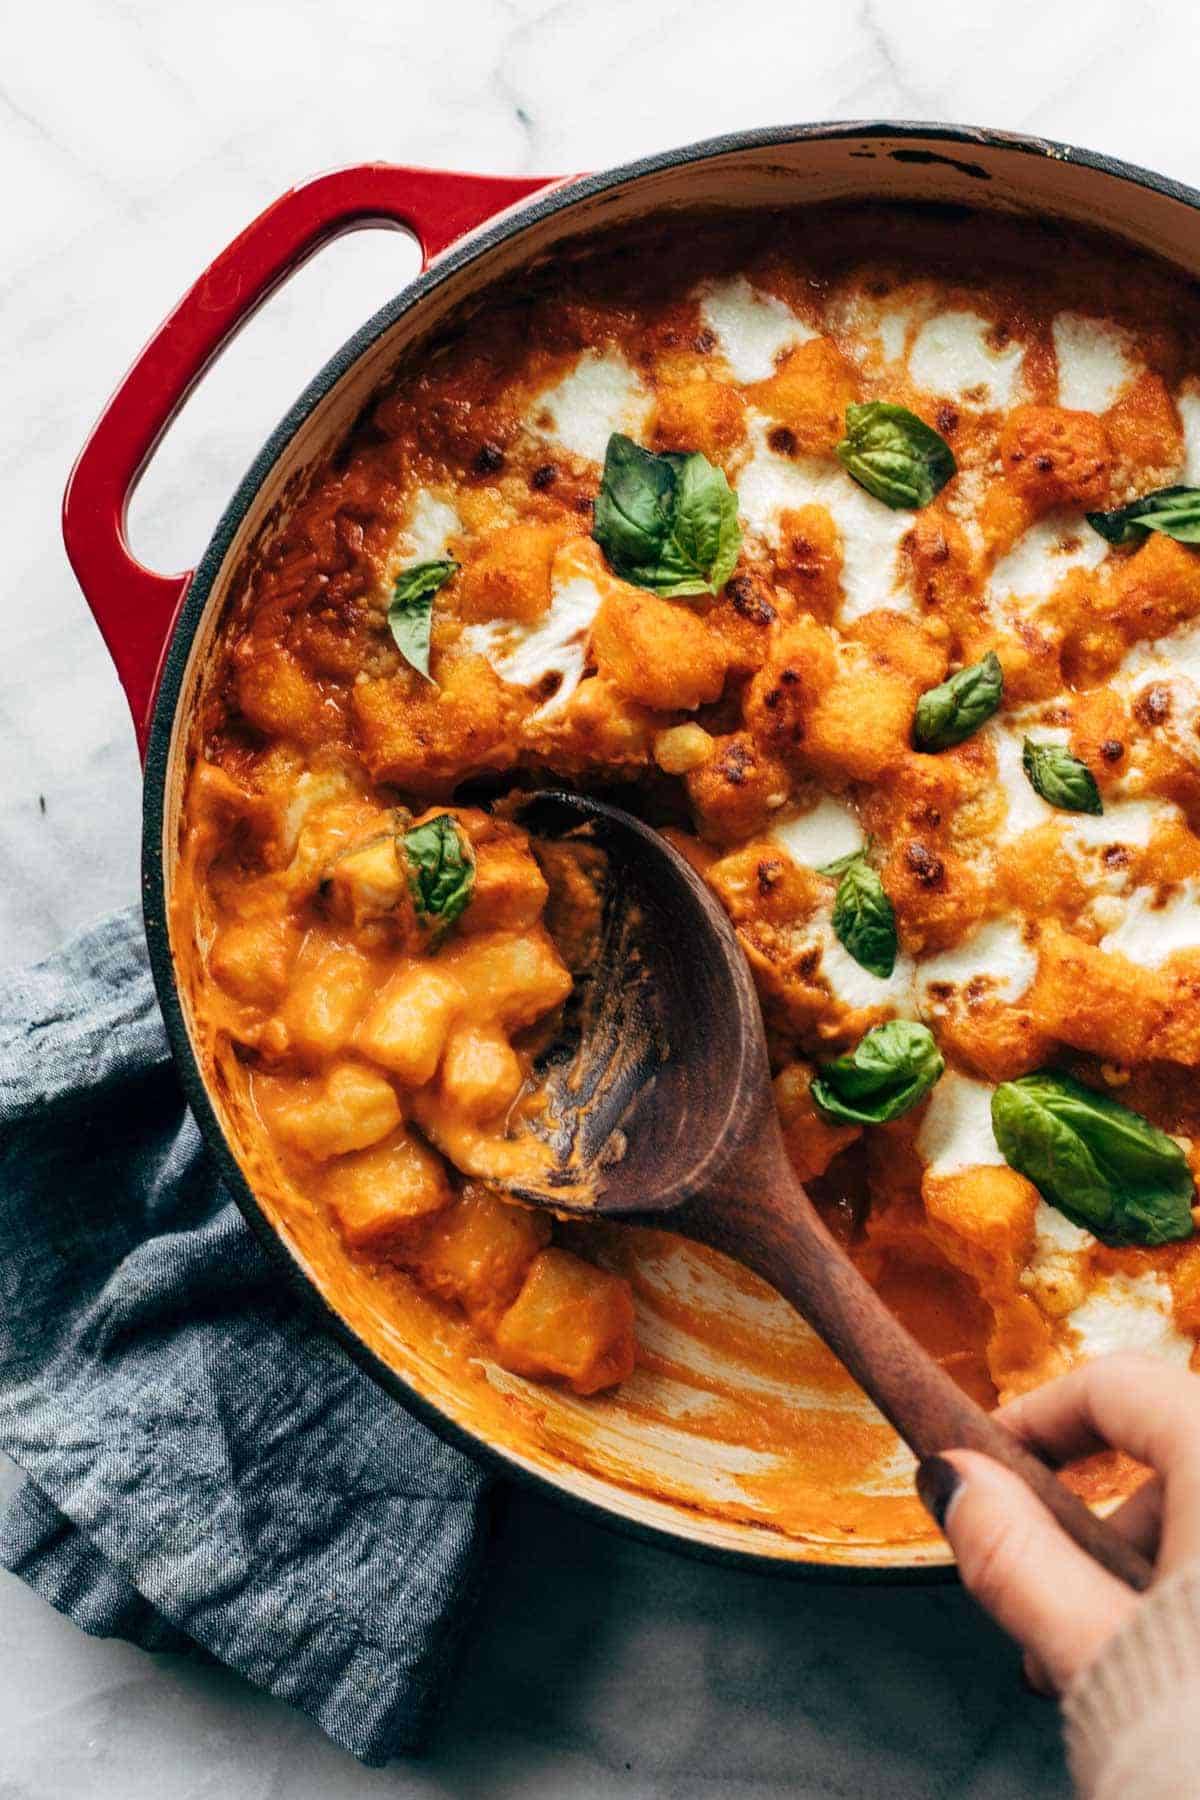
(640, 1457)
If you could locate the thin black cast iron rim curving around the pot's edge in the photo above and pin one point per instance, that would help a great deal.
(559, 199)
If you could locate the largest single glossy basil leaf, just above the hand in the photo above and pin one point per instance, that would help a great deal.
(1107, 1169)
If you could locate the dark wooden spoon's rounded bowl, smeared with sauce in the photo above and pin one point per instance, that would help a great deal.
(647, 1099)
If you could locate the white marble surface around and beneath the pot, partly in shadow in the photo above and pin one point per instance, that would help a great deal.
(136, 139)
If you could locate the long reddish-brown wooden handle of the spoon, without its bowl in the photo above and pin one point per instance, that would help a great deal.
(782, 1237)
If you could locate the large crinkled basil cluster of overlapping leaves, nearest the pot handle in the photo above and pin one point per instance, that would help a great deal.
(667, 523)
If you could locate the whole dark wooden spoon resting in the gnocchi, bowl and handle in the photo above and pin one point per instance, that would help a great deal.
(661, 1113)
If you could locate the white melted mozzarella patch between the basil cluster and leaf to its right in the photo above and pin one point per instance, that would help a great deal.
(872, 534)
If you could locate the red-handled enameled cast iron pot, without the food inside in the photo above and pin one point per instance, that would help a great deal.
(645, 1464)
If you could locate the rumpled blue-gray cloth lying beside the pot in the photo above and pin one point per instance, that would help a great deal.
(204, 1464)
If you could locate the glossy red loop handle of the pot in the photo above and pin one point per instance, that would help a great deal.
(134, 606)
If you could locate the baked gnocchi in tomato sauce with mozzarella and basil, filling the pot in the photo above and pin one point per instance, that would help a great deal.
(861, 548)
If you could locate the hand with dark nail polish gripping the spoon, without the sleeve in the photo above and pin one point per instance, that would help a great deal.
(1016, 1558)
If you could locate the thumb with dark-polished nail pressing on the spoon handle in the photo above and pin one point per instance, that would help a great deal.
(1021, 1565)
